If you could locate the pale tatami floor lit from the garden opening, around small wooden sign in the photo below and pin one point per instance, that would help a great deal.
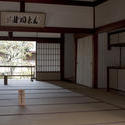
(49, 104)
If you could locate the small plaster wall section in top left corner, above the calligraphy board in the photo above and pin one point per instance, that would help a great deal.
(9, 6)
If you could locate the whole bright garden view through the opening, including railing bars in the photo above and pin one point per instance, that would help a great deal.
(17, 59)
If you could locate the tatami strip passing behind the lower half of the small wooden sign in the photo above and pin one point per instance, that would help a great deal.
(50, 101)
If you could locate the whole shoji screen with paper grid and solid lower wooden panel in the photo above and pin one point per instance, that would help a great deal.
(48, 60)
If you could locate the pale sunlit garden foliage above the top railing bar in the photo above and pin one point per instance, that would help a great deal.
(14, 53)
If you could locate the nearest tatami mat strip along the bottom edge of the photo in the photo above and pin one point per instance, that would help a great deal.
(87, 118)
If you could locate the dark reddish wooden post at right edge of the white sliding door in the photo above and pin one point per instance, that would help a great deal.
(95, 59)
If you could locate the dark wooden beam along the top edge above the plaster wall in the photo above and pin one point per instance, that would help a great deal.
(63, 2)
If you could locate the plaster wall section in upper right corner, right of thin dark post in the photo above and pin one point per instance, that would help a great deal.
(109, 12)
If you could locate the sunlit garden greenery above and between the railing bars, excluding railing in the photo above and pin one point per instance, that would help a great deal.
(16, 53)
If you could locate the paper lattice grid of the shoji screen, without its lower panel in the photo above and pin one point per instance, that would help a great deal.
(48, 57)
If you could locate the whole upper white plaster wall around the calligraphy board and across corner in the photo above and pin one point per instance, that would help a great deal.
(73, 16)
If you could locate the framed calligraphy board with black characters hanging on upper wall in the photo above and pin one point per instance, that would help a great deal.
(20, 19)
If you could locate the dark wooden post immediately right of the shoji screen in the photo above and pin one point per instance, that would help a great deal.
(62, 56)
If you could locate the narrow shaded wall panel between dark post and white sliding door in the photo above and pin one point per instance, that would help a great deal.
(69, 57)
